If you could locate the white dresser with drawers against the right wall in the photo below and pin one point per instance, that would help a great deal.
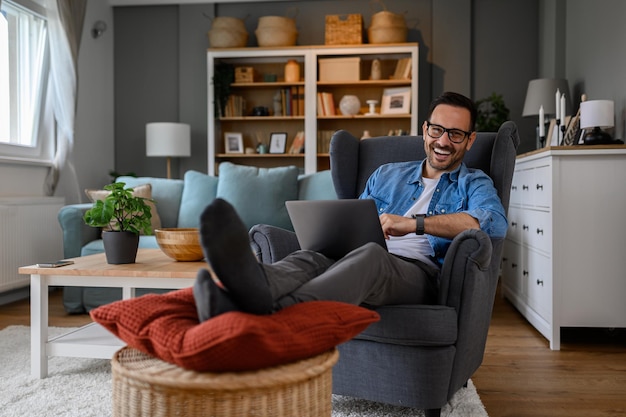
(564, 258)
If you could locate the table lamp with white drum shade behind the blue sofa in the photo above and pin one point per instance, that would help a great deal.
(168, 140)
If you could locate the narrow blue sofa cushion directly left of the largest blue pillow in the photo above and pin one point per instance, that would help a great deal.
(200, 189)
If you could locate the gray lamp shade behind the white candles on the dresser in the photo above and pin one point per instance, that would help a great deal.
(541, 93)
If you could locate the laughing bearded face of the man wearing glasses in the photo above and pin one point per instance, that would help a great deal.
(442, 154)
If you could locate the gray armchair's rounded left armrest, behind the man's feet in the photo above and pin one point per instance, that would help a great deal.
(271, 243)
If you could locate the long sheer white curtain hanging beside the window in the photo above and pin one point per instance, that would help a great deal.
(65, 26)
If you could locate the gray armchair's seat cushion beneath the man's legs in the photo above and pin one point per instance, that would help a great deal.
(414, 325)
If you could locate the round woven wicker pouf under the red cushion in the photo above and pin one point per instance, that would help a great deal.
(146, 386)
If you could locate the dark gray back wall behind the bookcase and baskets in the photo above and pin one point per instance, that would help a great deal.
(160, 59)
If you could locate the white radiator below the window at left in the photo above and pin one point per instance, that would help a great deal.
(29, 233)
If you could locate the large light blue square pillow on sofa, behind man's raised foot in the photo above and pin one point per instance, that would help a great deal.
(259, 194)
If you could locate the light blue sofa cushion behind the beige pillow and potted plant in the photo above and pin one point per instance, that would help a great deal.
(166, 194)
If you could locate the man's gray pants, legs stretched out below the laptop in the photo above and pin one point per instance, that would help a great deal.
(368, 275)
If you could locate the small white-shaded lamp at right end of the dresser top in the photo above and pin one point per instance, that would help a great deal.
(595, 115)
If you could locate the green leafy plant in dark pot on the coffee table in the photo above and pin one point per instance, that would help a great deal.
(123, 217)
